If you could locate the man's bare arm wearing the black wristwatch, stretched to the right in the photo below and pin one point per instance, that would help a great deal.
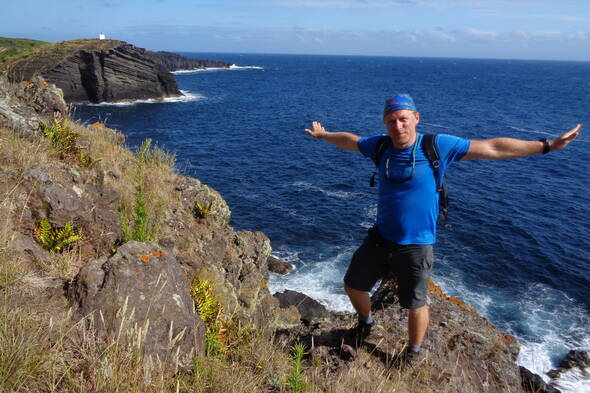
(504, 148)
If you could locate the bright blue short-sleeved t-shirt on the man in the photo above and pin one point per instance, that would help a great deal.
(407, 211)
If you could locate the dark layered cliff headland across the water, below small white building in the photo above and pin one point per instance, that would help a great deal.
(97, 71)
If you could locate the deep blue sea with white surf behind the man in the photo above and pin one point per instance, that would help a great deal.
(516, 241)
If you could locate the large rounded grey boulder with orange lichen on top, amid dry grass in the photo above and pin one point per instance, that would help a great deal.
(141, 294)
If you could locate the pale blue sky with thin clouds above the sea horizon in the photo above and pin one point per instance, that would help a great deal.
(513, 29)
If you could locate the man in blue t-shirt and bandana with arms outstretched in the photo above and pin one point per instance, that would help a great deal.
(405, 230)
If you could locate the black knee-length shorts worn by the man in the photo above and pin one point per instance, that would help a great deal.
(376, 257)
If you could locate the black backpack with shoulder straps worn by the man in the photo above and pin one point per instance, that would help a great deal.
(431, 152)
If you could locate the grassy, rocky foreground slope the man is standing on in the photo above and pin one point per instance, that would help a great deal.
(140, 294)
